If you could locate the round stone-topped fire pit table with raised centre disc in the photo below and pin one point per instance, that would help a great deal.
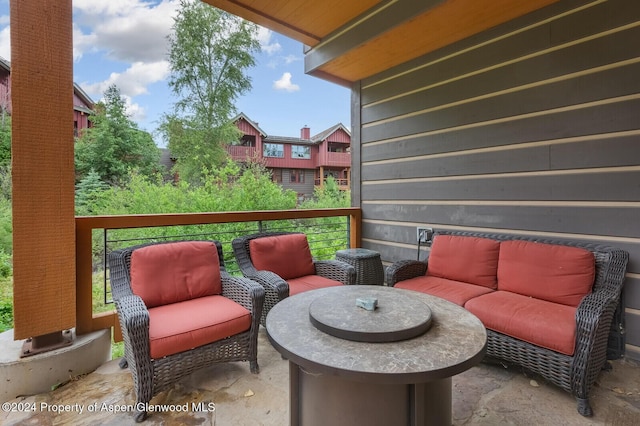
(339, 381)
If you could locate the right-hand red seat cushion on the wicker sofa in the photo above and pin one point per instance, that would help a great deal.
(546, 324)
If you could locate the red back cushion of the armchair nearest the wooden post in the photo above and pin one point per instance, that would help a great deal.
(168, 273)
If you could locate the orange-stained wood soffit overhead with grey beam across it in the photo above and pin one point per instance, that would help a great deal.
(349, 41)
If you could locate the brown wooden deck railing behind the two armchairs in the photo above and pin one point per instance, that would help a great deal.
(92, 234)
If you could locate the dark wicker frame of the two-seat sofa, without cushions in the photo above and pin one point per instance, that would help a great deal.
(575, 374)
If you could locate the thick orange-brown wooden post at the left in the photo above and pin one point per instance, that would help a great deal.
(43, 167)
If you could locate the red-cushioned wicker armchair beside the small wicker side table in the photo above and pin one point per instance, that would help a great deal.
(277, 287)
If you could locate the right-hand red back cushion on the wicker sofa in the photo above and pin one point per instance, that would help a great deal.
(550, 272)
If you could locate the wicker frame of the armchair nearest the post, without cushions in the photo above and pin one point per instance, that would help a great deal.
(151, 376)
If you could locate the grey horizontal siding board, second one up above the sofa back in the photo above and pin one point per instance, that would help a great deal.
(609, 186)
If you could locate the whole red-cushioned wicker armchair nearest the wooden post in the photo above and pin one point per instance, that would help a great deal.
(164, 291)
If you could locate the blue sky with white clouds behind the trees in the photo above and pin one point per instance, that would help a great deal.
(123, 42)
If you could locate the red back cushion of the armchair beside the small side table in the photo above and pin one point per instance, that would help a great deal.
(288, 256)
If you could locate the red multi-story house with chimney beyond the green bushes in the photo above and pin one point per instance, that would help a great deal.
(299, 164)
